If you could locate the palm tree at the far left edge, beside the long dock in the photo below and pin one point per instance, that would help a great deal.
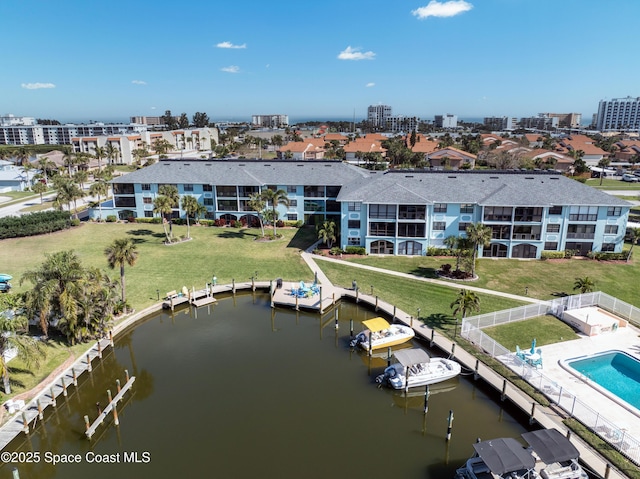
(14, 336)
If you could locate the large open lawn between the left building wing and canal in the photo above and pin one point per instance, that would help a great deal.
(228, 253)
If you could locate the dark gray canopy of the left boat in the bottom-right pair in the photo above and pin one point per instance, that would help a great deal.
(504, 455)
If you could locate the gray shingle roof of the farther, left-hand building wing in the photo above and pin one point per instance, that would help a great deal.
(246, 172)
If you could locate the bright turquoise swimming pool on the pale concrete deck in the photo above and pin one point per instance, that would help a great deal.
(614, 371)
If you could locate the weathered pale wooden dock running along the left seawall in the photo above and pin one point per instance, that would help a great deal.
(34, 409)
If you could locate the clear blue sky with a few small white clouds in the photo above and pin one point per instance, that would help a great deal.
(81, 60)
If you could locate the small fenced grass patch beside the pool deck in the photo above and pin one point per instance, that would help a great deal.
(546, 329)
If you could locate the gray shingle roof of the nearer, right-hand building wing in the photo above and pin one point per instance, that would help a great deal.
(477, 187)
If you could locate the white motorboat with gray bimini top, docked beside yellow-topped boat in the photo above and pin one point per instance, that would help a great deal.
(414, 367)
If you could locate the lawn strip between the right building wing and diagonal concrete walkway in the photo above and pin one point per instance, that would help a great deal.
(540, 279)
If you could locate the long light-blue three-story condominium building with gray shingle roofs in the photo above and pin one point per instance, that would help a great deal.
(397, 212)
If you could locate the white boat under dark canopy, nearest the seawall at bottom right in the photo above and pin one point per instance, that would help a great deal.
(557, 457)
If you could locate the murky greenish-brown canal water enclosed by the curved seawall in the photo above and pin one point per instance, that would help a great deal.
(238, 390)
